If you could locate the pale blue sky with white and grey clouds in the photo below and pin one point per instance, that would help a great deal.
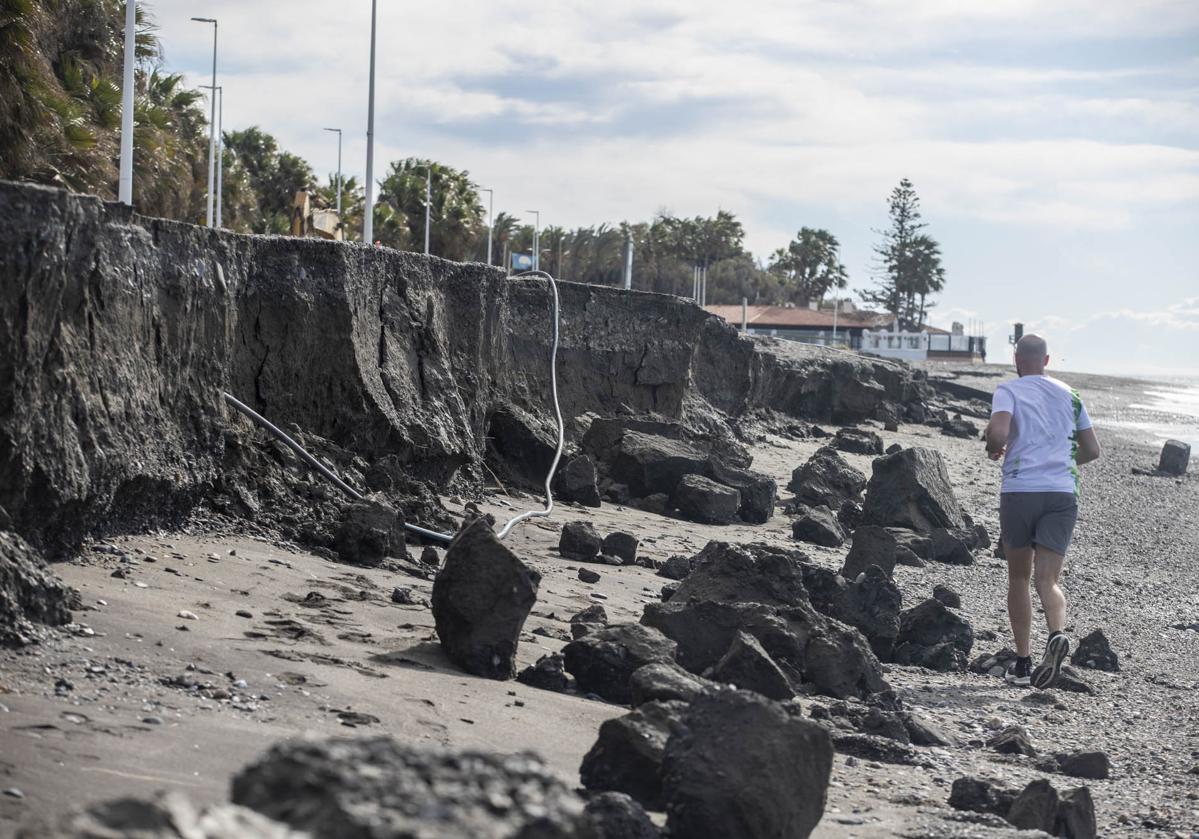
(1055, 146)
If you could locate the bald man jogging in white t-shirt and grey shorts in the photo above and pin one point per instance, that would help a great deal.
(1041, 431)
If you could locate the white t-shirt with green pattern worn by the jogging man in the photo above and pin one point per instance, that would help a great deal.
(1047, 417)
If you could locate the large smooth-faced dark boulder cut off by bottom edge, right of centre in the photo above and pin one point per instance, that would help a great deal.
(744, 766)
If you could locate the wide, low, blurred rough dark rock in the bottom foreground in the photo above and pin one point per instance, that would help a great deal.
(379, 789)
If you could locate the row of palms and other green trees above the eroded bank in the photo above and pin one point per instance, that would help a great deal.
(61, 65)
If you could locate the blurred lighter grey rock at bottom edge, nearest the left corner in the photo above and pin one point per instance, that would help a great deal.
(167, 816)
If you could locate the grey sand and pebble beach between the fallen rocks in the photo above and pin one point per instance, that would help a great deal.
(196, 651)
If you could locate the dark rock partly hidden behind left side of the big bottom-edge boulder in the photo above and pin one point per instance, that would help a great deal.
(628, 753)
